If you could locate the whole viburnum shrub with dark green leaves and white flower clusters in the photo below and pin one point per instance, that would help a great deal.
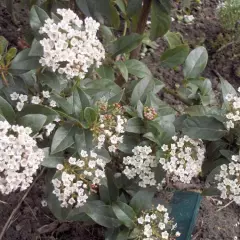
(80, 104)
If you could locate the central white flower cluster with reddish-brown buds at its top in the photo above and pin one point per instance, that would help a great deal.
(110, 127)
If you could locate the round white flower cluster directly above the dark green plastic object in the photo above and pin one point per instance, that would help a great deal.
(183, 159)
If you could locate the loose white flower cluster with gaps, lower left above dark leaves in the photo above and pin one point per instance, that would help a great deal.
(76, 176)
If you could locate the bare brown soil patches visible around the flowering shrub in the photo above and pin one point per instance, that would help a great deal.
(31, 217)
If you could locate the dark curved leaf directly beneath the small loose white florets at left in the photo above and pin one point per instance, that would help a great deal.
(36, 109)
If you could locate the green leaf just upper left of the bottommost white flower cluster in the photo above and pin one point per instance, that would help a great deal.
(124, 213)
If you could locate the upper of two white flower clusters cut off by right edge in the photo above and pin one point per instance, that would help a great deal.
(233, 115)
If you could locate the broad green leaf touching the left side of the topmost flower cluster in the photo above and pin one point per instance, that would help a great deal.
(23, 63)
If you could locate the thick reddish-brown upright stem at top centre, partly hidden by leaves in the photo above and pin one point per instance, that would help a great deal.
(141, 25)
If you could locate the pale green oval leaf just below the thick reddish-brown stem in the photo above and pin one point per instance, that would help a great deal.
(137, 68)
